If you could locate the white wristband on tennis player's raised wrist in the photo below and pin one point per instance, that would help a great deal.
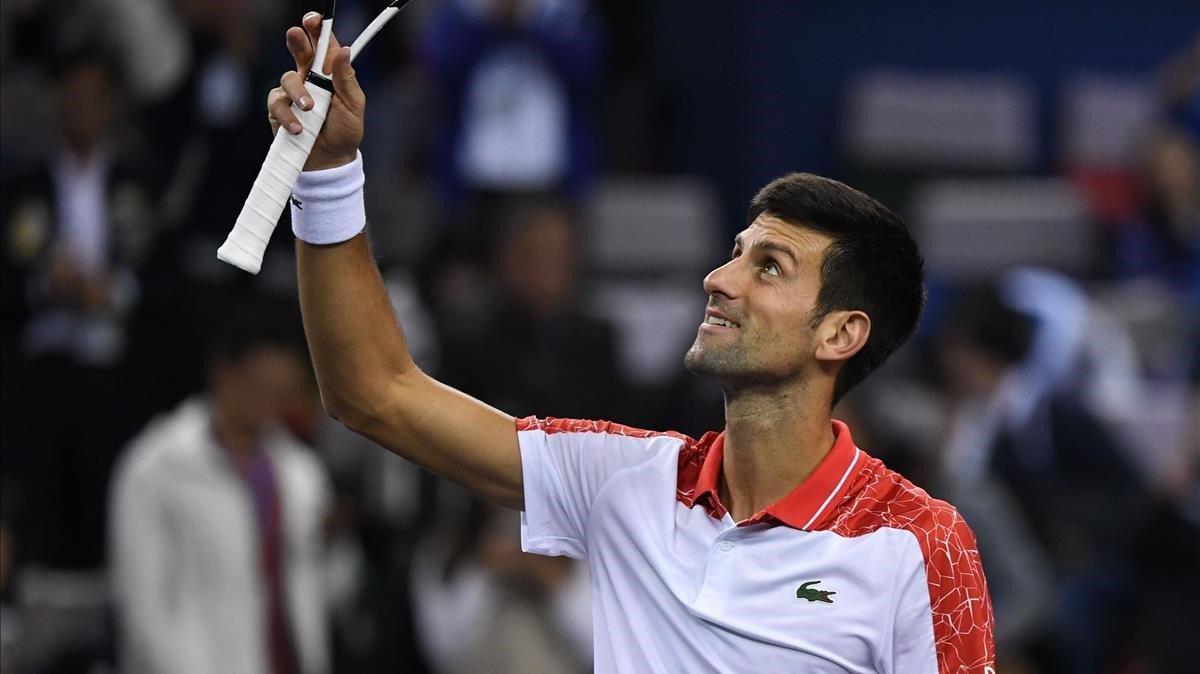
(327, 206)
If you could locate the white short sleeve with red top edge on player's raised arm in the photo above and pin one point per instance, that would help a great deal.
(565, 465)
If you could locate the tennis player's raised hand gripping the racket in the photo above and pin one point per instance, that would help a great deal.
(339, 141)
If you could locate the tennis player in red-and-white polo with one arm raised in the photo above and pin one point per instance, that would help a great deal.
(776, 545)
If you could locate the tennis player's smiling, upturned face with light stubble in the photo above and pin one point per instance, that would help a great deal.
(758, 328)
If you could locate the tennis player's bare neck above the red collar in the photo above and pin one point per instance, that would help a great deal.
(773, 442)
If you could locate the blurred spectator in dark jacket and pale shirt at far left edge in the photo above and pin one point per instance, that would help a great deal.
(81, 226)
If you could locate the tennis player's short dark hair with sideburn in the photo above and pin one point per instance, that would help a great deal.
(873, 264)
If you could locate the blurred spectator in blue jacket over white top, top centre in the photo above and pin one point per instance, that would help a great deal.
(515, 82)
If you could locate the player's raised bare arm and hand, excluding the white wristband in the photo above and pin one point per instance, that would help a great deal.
(367, 376)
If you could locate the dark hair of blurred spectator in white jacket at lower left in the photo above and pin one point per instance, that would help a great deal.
(248, 326)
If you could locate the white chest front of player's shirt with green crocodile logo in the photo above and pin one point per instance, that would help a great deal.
(778, 595)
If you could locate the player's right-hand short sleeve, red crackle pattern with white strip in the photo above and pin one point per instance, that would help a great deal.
(951, 609)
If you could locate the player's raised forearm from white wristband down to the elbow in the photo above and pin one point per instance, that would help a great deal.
(358, 348)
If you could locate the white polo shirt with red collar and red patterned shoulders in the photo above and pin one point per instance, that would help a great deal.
(856, 570)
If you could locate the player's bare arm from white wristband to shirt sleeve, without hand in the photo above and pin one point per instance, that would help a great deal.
(369, 381)
